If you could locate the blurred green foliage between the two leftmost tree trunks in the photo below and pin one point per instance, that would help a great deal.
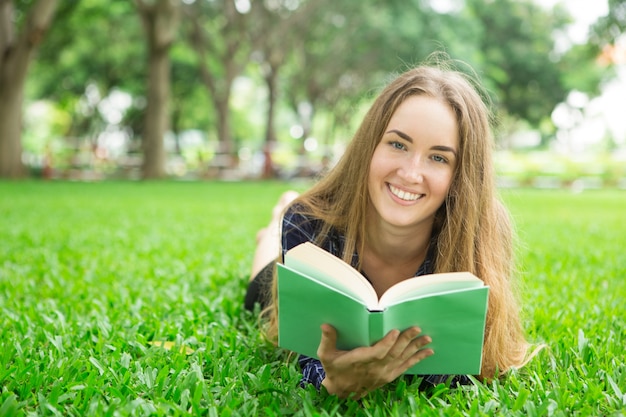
(94, 49)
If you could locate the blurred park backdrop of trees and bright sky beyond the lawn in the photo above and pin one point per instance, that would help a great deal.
(185, 89)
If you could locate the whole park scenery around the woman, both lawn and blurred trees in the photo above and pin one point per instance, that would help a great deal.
(134, 144)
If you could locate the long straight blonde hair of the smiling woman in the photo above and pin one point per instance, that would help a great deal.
(472, 227)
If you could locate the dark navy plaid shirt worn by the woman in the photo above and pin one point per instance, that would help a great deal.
(298, 228)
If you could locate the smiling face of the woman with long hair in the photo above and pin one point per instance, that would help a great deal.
(412, 166)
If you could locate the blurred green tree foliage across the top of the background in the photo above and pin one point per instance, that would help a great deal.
(309, 59)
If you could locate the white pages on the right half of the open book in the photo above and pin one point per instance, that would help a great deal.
(425, 285)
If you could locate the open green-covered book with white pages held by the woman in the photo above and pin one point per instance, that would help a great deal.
(316, 287)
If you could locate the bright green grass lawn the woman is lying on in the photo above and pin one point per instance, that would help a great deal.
(91, 273)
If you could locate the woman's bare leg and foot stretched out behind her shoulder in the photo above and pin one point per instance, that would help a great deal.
(268, 238)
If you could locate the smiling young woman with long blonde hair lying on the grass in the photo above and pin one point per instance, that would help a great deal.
(413, 194)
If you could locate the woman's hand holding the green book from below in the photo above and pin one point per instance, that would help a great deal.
(364, 369)
